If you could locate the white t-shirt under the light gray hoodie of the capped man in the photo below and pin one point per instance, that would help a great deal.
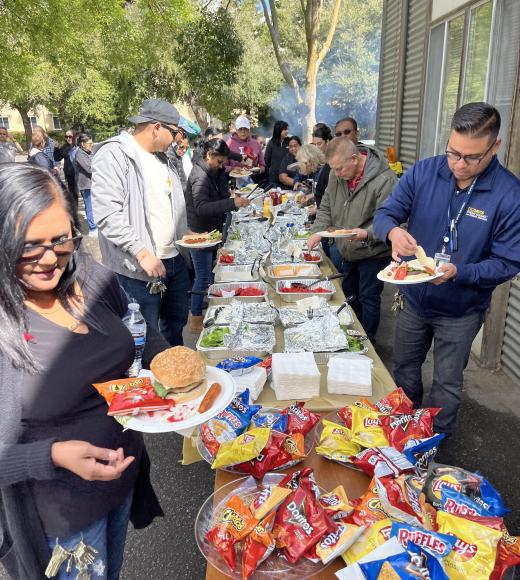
(158, 191)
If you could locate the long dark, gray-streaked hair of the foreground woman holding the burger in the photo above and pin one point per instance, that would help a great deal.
(25, 191)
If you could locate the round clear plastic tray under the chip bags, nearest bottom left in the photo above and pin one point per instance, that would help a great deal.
(275, 566)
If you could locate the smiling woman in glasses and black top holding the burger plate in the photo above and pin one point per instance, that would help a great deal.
(70, 475)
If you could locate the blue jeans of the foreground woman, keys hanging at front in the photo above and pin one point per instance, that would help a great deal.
(107, 535)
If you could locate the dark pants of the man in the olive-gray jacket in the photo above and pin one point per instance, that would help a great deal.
(361, 281)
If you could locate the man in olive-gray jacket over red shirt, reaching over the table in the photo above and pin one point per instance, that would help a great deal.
(360, 180)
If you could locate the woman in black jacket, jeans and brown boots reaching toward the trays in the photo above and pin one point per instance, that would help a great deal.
(207, 201)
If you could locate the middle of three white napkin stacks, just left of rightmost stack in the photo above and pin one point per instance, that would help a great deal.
(295, 376)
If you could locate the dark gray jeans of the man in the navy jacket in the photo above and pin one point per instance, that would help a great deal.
(452, 338)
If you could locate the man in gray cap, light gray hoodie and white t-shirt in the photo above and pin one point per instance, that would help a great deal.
(139, 209)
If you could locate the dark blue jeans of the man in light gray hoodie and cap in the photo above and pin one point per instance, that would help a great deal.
(167, 313)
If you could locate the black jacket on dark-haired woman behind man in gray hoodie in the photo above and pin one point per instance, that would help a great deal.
(207, 198)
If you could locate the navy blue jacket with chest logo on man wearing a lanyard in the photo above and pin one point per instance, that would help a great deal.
(488, 233)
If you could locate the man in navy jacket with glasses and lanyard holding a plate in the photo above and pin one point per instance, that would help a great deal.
(463, 208)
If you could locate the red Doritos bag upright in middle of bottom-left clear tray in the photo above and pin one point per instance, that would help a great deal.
(300, 522)
